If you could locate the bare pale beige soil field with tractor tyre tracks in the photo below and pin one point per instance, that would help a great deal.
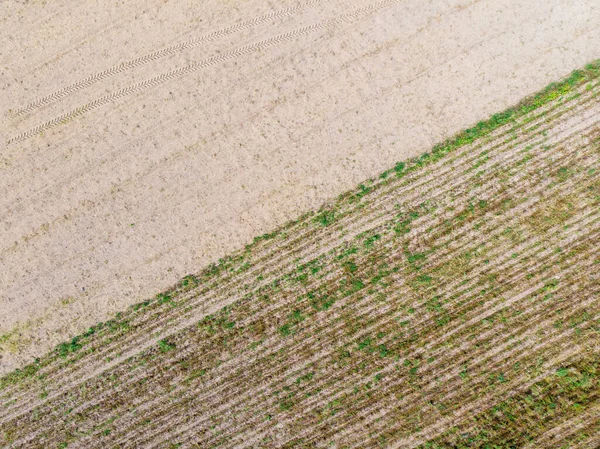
(143, 140)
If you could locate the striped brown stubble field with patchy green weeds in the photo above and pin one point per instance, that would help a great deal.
(453, 301)
